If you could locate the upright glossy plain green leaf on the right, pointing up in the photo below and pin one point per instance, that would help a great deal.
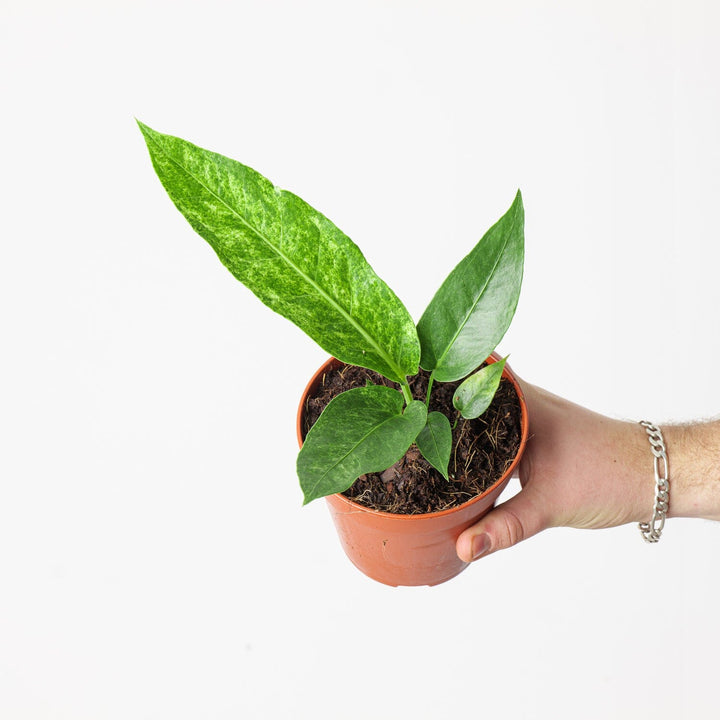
(473, 308)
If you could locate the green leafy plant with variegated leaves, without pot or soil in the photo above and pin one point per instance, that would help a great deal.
(302, 266)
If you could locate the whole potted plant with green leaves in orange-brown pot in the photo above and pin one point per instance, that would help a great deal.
(302, 266)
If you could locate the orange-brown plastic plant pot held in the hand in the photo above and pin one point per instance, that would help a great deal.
(409, 549)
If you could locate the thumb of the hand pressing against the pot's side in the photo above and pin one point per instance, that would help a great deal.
(506, 525)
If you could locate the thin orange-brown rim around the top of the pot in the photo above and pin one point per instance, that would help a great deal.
(524, 433)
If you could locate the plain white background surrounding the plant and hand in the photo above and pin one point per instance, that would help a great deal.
(155, 560)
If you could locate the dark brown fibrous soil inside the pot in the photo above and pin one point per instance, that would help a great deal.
(482, 448)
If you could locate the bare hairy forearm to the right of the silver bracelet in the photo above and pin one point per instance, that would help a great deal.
(694, 469)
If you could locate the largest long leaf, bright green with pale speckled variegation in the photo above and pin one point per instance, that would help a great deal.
(291, 256)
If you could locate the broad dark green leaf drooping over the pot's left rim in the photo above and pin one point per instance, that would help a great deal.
(360, 431)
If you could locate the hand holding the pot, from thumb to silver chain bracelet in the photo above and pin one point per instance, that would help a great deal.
(580, 469)
